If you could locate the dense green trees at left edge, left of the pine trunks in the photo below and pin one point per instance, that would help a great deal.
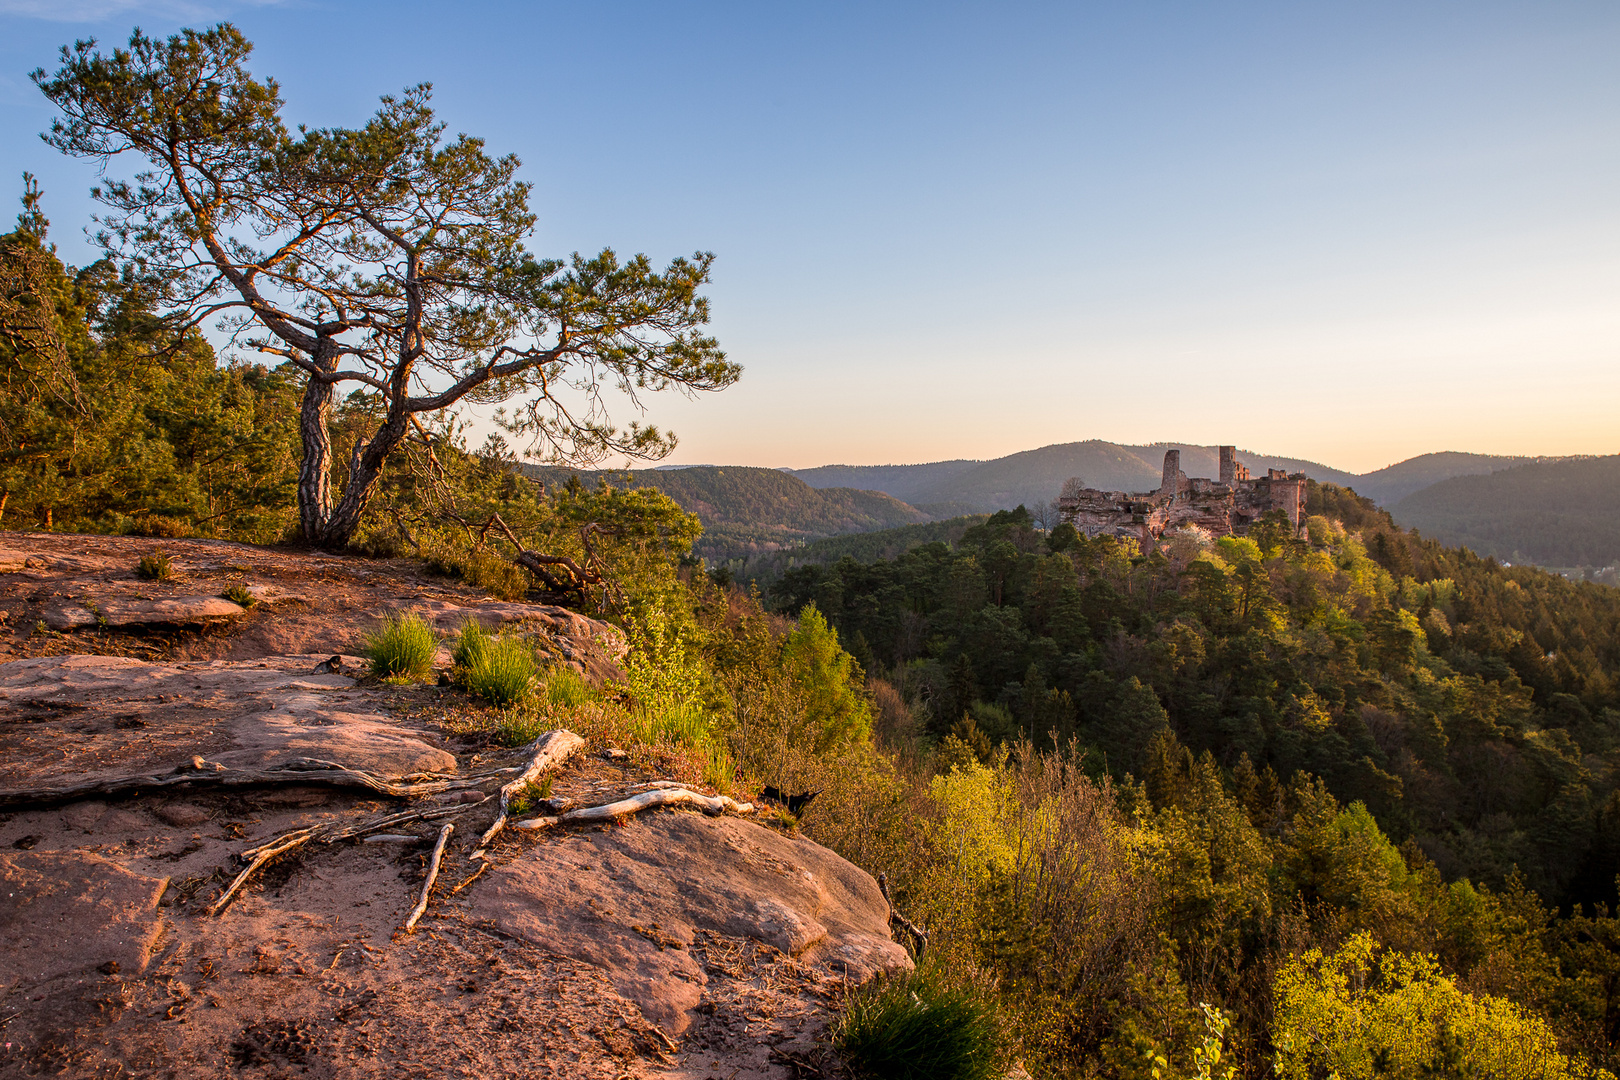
(109, 423)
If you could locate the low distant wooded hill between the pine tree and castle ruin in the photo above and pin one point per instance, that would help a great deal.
(749, 512)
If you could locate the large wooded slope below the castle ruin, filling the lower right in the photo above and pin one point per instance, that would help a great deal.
(1358, 733)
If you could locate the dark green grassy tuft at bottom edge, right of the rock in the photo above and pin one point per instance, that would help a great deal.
(916, 1027)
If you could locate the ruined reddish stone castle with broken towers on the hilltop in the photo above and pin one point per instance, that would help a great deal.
(1224, 508)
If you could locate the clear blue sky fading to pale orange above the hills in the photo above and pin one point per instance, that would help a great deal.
(1350, 232)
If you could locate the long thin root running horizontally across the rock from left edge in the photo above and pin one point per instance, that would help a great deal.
(202, 773)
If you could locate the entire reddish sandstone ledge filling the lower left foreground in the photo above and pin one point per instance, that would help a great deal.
(663, 946)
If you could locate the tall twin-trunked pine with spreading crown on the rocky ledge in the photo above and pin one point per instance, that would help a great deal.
(386, 260)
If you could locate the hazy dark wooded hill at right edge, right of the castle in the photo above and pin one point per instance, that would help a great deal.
(1554, 514)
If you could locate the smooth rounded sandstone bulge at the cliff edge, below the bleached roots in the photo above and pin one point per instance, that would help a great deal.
(633, 901)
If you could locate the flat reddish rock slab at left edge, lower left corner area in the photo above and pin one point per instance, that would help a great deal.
(72, 914)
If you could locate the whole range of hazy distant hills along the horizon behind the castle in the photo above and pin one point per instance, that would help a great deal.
(1522, 509)
